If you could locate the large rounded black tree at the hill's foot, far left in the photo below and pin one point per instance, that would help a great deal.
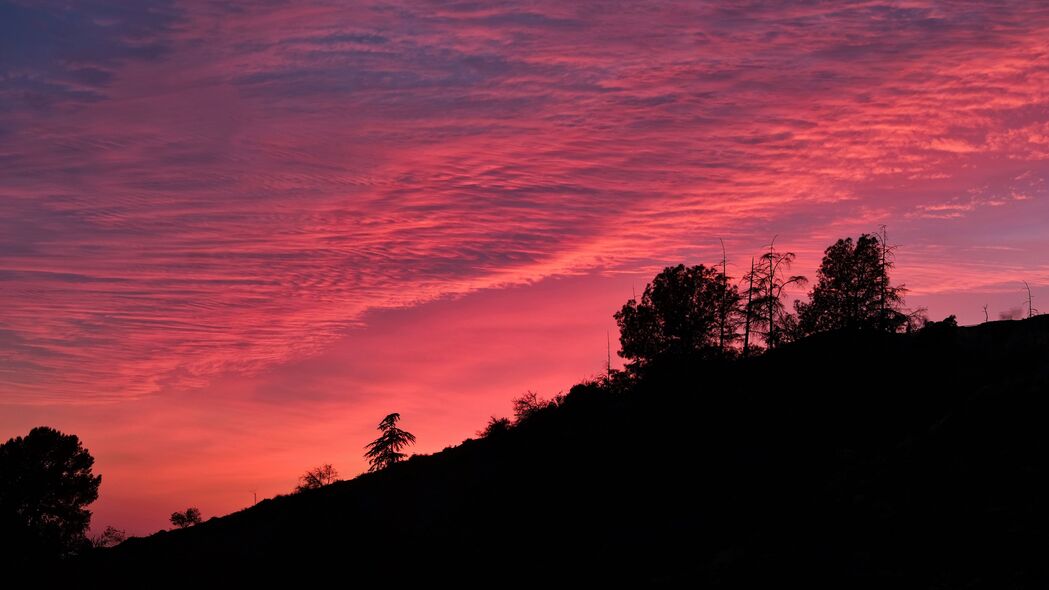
(46, 483)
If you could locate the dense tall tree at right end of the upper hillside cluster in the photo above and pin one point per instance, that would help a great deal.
(853, 290)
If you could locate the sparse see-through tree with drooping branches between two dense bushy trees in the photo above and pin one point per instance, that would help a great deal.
(768, 283)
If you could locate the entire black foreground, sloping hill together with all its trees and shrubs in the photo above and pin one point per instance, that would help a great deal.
(848, 444)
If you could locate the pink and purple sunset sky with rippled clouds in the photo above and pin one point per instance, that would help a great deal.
(236, 236)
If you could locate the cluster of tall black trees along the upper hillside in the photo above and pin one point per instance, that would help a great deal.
(700, 313)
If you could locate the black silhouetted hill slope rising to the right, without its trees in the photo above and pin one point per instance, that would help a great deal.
(855, 460)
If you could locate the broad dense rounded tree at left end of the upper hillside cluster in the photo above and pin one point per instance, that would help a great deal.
(682, 313)
